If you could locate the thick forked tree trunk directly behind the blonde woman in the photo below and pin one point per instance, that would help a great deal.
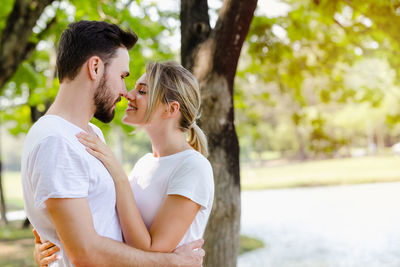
(212, 55)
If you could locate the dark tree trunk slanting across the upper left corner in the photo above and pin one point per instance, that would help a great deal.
(15, 44)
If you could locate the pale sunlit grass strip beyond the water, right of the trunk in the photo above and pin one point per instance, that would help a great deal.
(322, 173)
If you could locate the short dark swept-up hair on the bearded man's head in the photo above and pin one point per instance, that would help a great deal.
(84, 39)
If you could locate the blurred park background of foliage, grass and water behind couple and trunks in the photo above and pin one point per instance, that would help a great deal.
(316, 112)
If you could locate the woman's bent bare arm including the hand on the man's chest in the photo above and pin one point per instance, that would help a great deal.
(172, 220)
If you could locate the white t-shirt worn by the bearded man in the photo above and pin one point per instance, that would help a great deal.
(56, 165)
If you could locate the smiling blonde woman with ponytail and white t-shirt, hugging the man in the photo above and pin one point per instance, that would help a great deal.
(167, 199)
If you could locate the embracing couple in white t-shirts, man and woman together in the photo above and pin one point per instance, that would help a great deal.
(85, 210)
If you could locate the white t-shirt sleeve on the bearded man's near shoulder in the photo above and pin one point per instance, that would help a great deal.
(57, 171)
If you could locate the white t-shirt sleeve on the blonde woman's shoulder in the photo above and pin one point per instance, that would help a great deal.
(194, 180)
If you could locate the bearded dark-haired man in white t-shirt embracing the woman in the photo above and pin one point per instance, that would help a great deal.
(69, 196)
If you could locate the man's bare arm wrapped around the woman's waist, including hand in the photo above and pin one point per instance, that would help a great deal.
(74, 226)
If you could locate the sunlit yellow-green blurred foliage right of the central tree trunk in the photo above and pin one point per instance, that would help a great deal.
(320, 62)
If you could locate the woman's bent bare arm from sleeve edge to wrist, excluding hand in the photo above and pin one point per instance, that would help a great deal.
(172, 221)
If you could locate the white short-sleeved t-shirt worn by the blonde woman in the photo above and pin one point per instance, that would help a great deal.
(187, 173)
